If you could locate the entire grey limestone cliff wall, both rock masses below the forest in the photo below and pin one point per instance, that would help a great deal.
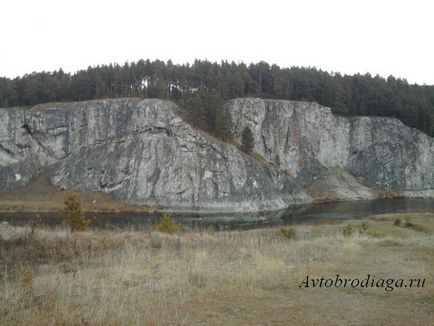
(142, 152)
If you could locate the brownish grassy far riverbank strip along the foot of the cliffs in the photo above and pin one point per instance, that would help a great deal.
(40, 196)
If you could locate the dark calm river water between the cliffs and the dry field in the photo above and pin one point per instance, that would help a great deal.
(292, 215)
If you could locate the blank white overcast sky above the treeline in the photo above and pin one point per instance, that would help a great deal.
(347, 36)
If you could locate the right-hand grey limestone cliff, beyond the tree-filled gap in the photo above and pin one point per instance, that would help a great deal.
(309, 141)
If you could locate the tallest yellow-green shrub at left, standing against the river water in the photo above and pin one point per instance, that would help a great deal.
(73, 213)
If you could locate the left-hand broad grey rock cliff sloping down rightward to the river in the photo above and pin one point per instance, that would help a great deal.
(141, 152)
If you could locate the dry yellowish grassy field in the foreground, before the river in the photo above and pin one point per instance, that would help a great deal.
(53, 277)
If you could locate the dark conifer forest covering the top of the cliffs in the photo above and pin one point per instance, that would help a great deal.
(202, 87)
